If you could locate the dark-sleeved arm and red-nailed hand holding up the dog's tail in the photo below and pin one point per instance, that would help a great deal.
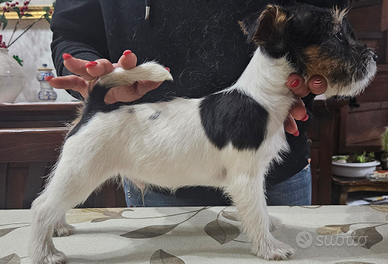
(80, 52)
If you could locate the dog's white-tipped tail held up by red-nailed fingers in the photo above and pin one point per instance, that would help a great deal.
(150, 71)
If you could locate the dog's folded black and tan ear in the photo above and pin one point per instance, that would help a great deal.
(266, 28)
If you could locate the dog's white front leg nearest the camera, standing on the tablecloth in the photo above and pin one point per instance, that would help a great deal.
(248, 196)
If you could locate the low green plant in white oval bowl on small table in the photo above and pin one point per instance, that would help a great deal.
(354, 166)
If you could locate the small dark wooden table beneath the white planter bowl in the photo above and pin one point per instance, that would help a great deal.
(342, 186)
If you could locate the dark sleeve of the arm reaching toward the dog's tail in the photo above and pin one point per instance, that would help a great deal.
(78, 29)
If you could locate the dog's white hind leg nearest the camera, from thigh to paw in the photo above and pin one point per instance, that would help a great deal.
(71, 184)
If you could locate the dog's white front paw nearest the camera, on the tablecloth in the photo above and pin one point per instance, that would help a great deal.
(274, 250)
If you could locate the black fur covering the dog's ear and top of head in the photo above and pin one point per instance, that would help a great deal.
(281, 31)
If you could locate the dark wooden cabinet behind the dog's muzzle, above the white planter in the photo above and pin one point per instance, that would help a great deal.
(360, 129)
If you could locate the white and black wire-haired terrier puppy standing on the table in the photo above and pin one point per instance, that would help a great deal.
(225, 140)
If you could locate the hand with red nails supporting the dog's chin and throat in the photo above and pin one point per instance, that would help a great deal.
(296, 83)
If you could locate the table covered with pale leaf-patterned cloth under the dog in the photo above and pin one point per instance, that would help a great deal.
(320, 234)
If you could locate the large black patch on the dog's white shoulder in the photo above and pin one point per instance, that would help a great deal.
(233, 117)
